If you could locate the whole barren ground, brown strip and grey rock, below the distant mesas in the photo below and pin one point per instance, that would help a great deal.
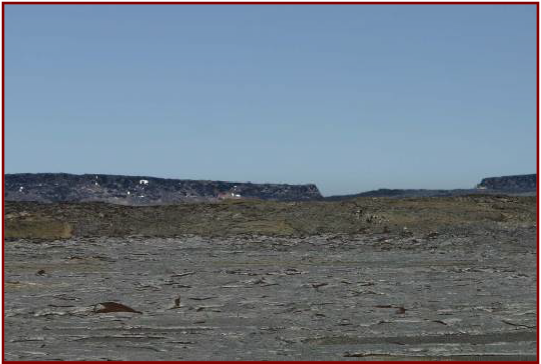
(369, 279)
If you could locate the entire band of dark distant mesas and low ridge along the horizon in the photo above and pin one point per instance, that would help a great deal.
(140, 190)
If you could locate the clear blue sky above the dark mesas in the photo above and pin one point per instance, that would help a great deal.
(351, 98)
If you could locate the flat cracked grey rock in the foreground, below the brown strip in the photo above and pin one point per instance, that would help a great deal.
(325, 297)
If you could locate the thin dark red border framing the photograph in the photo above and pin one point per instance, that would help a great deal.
(536, 3)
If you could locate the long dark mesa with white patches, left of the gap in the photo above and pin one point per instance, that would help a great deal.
(136, 190)
